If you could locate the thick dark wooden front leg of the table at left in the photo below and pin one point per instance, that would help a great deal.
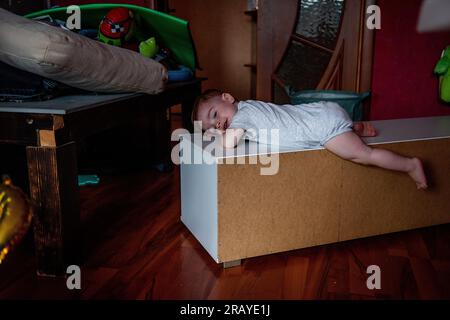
(55, 195)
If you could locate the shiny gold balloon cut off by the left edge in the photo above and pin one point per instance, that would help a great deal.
(15, 216)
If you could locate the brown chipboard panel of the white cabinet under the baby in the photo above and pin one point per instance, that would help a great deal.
(317, 198)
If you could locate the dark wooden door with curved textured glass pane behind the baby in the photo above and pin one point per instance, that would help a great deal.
(311, 44)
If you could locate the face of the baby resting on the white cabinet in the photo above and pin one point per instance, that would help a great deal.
(217, 112)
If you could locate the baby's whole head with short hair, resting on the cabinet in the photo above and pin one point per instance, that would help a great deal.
(215, 109)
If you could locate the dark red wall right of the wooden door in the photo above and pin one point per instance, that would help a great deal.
(403, 82)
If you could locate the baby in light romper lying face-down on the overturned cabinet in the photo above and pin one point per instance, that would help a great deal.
(303, 126)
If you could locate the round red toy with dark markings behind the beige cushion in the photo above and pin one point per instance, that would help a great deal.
(116, 28)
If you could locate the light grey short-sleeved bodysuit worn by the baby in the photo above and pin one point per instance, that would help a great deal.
(300, 126)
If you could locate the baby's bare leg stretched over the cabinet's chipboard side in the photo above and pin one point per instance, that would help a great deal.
(350, 147)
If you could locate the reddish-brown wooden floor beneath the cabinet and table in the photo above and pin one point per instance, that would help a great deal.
(135, 247)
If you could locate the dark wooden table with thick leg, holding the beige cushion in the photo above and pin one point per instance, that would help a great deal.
(50, 131)
